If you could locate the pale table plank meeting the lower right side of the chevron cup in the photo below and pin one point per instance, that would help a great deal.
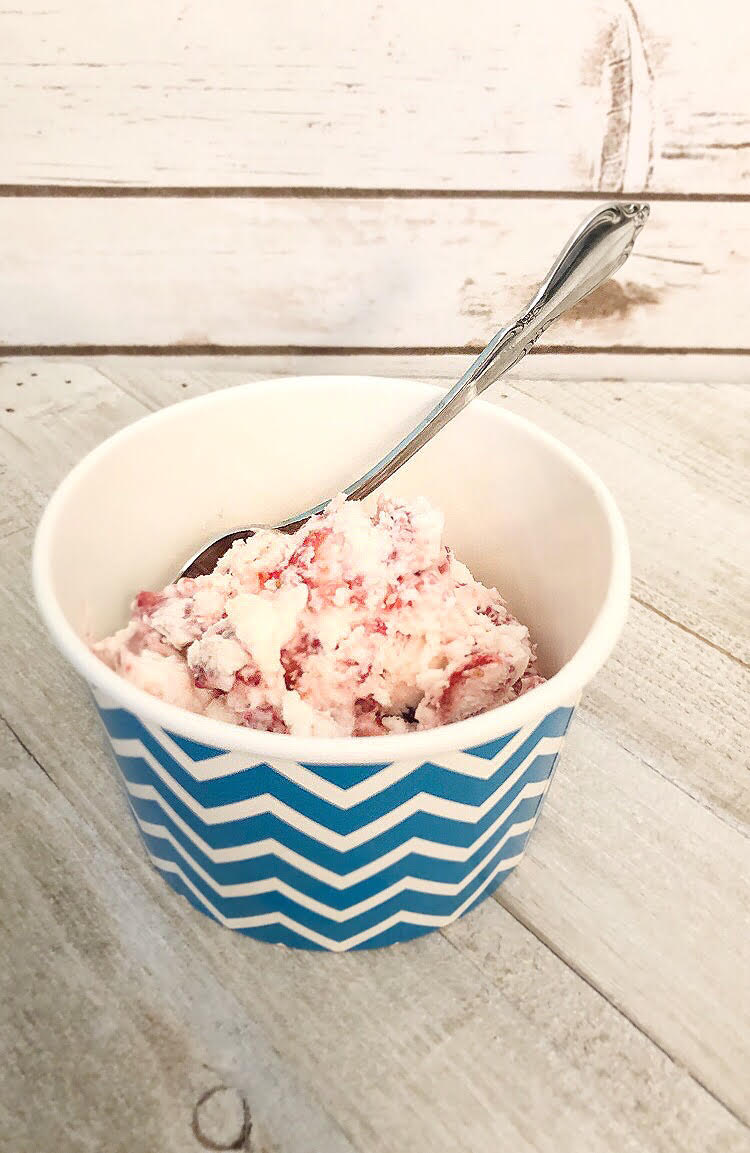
(616, 883)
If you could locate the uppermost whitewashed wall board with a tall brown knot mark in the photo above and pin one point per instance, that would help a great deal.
(609, 95)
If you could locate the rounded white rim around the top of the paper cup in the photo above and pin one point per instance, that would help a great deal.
(564, 689)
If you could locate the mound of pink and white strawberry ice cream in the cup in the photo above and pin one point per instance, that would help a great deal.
(358, 626)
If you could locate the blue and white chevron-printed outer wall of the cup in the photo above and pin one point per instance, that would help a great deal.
(329, 856)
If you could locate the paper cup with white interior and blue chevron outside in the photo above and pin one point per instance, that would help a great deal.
(335, 843)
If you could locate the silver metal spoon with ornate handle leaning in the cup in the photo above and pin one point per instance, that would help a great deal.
(596, 251)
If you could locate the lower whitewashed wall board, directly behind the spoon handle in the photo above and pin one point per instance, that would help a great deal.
(354, 273)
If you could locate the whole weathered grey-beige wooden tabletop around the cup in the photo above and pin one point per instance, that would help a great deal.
(599, 1003)
